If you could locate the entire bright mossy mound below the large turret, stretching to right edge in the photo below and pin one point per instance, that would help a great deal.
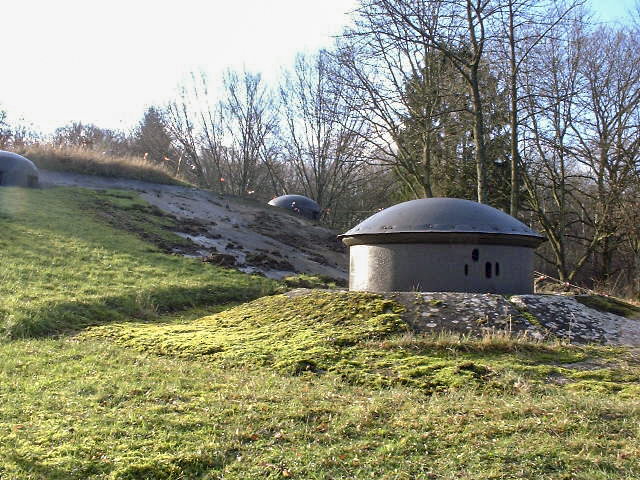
(358, 337)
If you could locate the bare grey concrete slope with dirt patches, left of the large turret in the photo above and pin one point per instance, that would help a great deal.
(230, 231)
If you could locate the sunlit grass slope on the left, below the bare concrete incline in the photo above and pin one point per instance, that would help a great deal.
(64, 266)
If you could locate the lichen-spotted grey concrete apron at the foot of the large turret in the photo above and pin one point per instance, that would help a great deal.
(557, 317)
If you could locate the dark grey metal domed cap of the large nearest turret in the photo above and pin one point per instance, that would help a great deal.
(441, 219)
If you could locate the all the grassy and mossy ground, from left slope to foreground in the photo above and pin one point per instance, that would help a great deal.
(122, 361)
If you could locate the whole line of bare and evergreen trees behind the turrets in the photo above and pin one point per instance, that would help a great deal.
(530, 106)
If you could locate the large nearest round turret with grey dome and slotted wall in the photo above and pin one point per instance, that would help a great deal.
(441, 244)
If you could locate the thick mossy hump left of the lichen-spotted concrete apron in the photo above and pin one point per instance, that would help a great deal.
(304, 333)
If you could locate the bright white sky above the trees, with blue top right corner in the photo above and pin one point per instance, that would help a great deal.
(105, 62)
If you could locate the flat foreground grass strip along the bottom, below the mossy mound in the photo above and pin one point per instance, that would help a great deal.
(92, 410)
